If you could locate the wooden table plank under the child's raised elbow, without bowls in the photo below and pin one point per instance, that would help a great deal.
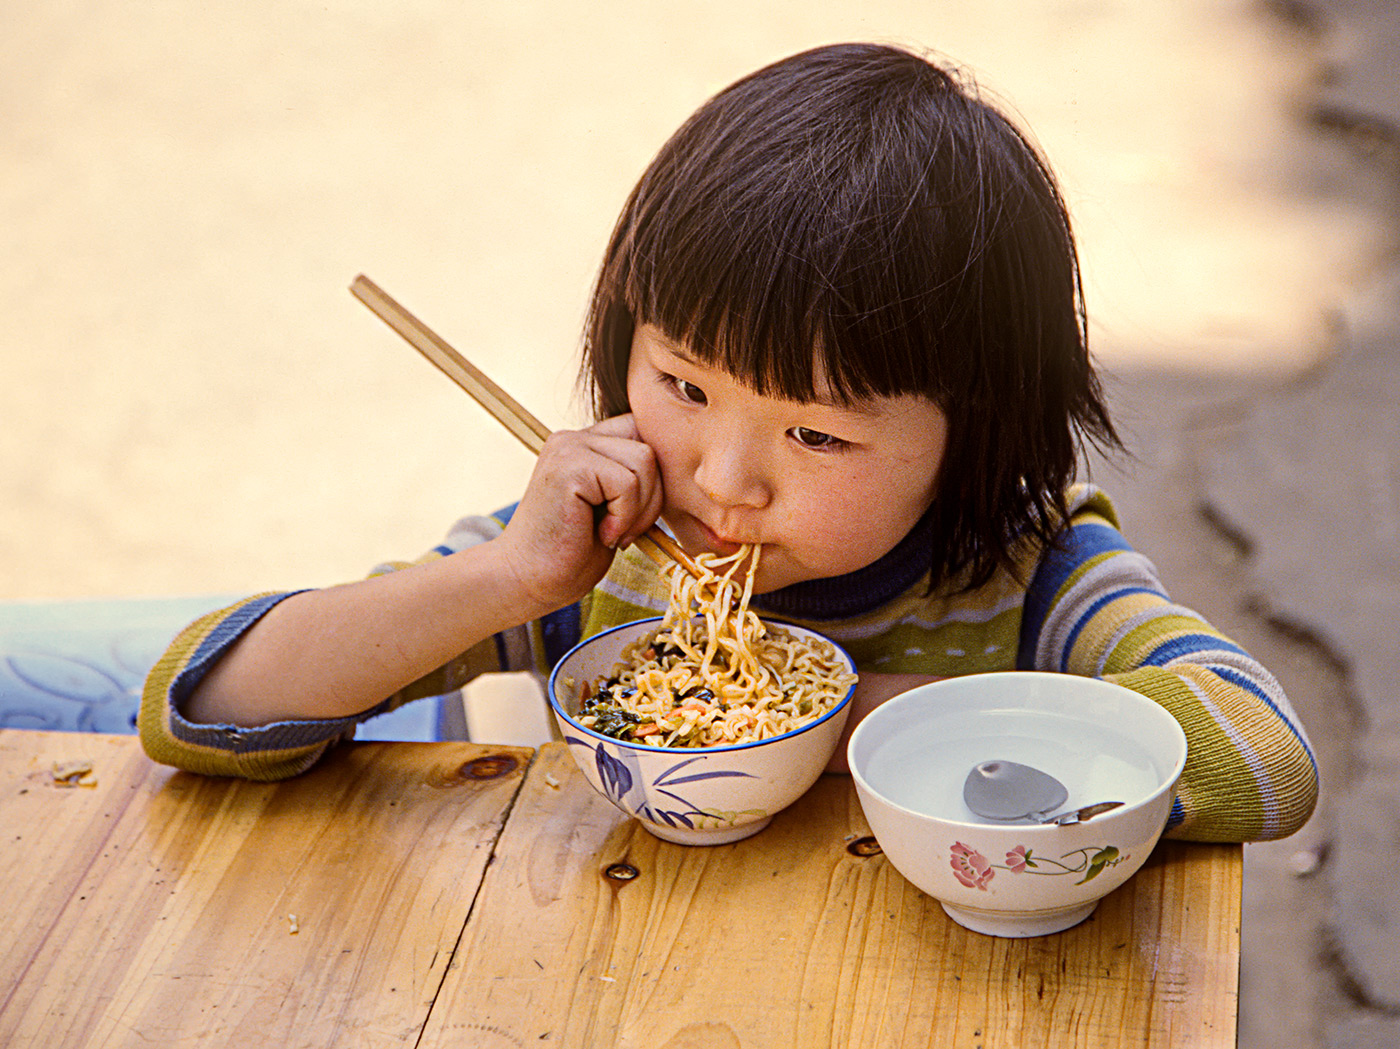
(156, 908)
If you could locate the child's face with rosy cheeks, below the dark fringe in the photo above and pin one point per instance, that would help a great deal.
(827, 489)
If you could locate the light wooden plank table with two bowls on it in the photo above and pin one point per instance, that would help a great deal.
(464, 896)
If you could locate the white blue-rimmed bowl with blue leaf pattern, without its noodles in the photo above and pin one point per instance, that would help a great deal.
(691, 795)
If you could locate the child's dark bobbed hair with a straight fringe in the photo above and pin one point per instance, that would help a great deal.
(857, 214)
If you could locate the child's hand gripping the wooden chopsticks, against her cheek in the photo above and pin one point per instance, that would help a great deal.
(593, 492)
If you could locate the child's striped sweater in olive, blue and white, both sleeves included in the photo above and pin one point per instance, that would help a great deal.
(1093, 607)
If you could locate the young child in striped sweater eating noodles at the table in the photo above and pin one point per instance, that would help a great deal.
(841, 316)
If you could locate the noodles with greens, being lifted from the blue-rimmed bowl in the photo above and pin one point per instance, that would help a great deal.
(717, 677)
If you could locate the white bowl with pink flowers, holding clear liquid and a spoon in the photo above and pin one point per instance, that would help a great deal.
(1104, 743)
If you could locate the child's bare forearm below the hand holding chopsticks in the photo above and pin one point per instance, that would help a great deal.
(338, 652)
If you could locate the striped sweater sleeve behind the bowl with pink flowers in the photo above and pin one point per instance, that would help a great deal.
(1095, 607)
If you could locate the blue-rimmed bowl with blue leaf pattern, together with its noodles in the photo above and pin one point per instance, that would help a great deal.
(708, 722)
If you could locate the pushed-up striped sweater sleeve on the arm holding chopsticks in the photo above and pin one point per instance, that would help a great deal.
(288, 749)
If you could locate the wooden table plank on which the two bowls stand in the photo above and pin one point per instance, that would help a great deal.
(790, 939)
